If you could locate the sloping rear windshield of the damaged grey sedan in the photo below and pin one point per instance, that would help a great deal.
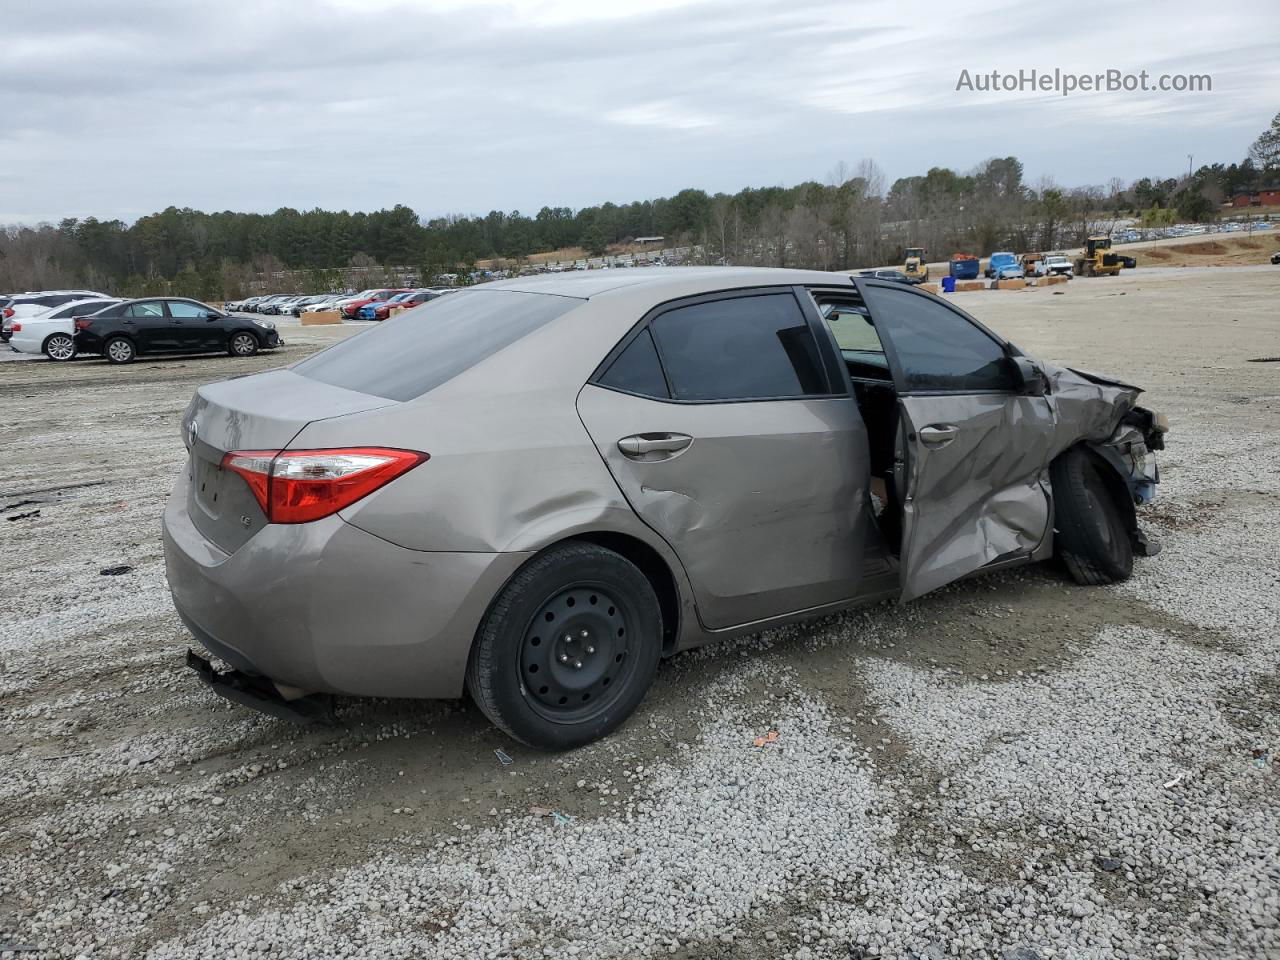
(422, 349)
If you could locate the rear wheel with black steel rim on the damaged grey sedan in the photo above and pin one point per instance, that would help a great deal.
(569, 650)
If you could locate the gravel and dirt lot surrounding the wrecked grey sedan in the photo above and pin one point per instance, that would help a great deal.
(1016, 767)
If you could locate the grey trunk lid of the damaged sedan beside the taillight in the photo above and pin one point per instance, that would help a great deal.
(258, 413)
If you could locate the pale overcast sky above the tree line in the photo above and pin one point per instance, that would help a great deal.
(120, 109)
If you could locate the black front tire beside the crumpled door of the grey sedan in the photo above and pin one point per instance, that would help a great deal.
(1092, 538)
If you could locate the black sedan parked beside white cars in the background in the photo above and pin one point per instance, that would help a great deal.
(171, 326)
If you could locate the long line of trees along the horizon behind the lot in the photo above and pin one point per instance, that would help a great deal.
(851, 220)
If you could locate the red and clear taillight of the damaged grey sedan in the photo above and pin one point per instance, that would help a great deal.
(298, 487)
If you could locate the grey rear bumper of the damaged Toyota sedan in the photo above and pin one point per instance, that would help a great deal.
(327, 607)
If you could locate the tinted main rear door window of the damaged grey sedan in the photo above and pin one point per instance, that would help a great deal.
(757, 348)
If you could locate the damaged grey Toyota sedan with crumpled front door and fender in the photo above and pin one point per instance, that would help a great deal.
(537, 490)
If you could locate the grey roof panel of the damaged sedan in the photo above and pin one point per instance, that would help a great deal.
(682, 281)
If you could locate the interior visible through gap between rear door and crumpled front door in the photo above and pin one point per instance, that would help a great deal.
(877, 401)
